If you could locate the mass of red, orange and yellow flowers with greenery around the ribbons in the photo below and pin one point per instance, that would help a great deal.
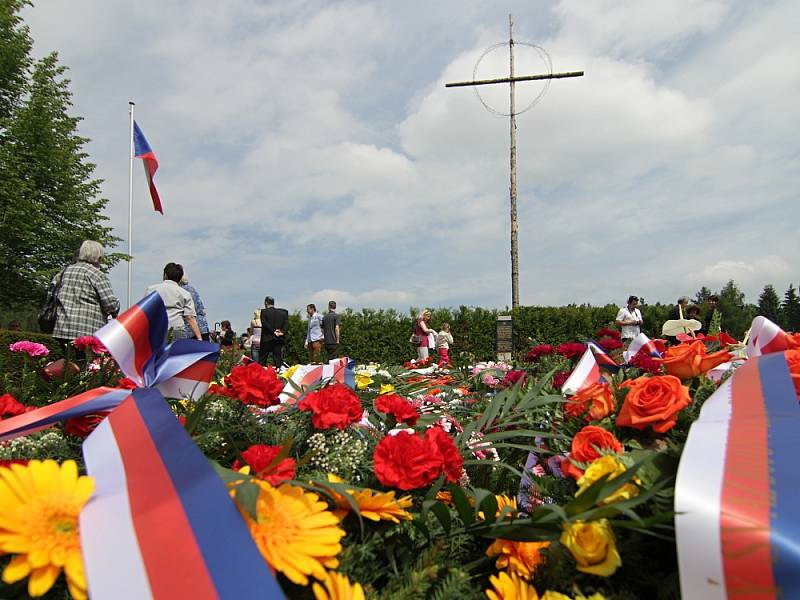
(422, 484)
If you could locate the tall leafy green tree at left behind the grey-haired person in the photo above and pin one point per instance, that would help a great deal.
(49, 202)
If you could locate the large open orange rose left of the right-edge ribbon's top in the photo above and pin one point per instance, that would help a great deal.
(653, 401)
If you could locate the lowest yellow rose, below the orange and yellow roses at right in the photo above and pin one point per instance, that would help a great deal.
(593, 547)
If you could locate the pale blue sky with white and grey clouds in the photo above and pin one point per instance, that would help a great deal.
(309, 150)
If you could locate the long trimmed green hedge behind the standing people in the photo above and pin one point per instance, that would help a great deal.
(382, 335)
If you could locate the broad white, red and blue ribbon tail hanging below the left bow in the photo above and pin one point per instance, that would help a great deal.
(161, 523)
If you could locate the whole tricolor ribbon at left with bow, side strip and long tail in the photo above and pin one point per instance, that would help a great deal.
(161, 523)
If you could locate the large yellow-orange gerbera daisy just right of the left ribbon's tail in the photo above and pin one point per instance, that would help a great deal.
(295, 532)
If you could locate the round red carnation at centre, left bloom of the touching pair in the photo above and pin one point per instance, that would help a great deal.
(405, 461)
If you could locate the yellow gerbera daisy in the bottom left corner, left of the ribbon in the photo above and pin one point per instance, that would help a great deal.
(39, 507)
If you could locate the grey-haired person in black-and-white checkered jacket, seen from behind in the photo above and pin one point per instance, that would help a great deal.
(83, 294)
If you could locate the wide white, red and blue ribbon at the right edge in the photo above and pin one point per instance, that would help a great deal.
(738, 488)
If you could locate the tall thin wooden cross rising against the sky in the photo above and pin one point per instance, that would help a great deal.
(511, 80)
